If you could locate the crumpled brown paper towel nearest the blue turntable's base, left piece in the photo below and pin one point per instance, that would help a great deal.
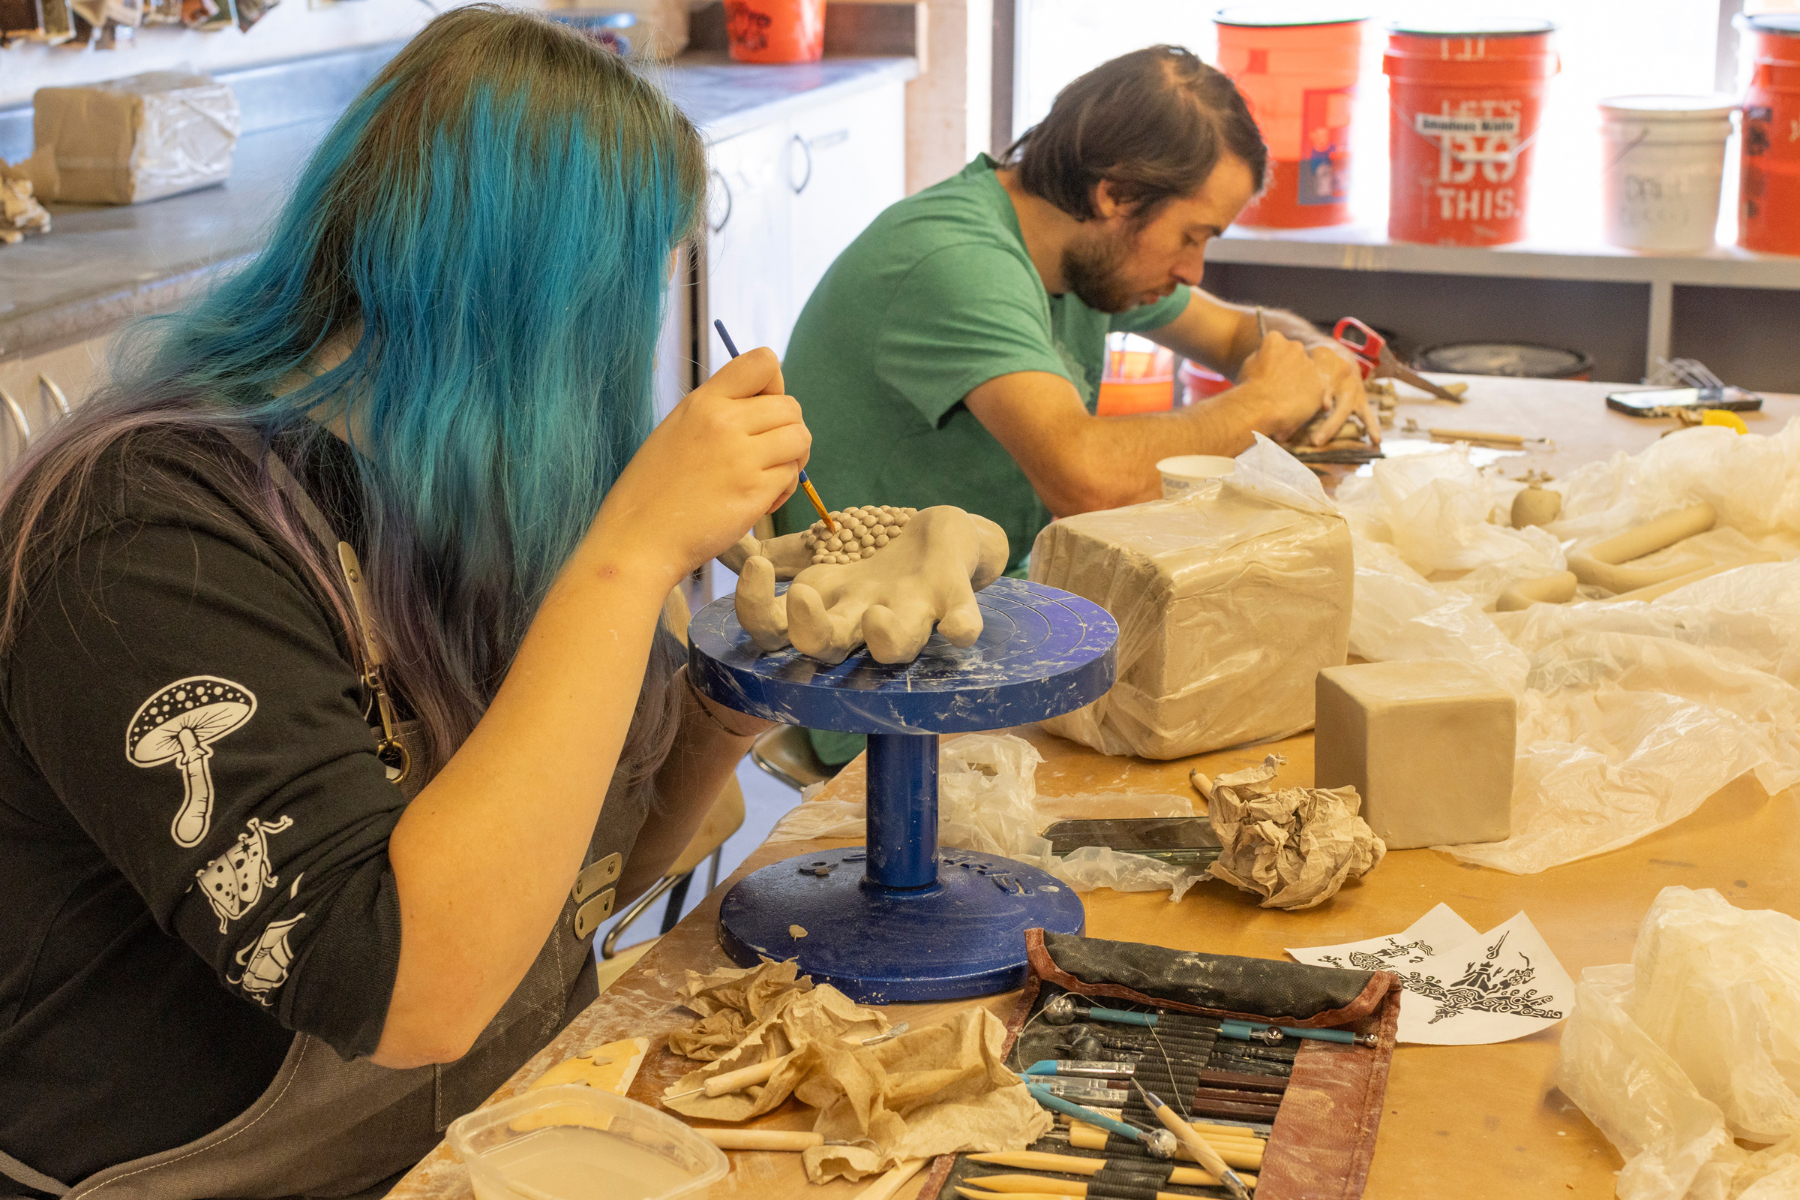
(796, 1021)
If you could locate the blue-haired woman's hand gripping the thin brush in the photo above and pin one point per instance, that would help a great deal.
(728, 454)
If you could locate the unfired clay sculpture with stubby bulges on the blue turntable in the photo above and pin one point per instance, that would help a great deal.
(926, 577)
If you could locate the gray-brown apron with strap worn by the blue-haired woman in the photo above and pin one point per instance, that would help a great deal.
(327, 1127)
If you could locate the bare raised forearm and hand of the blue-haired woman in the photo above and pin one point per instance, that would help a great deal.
(489, 850)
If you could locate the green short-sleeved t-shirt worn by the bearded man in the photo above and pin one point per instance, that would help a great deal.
(935, 300)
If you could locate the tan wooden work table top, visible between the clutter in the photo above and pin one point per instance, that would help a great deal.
(1459, 1122)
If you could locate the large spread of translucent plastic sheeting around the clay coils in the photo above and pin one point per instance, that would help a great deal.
(1630, 713)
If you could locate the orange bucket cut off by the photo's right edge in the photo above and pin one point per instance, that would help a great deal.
(1768, 208)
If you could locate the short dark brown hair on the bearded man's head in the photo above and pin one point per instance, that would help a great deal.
(1153, 123)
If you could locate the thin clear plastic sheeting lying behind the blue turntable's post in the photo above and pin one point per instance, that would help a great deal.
(987, 801)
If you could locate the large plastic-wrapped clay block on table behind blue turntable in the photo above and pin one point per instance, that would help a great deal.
(1230, 600)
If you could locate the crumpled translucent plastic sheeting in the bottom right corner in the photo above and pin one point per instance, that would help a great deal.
(1693, 1044)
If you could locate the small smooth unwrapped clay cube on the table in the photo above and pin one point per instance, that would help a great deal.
(1428, 746)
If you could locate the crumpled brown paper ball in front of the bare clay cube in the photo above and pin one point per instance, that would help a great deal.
(1293, 846)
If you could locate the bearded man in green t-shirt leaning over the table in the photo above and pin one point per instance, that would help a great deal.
(953, 354)
